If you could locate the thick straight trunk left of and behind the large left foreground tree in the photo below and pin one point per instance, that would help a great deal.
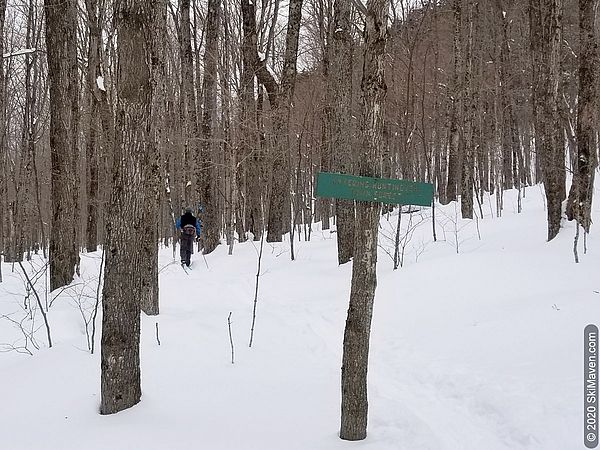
(61, 45)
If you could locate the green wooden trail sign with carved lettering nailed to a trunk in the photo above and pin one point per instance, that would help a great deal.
(385, 190)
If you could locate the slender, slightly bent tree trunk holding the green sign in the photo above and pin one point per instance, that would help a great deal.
(364, 280)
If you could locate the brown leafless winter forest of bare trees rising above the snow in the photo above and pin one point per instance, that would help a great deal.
(117, 115)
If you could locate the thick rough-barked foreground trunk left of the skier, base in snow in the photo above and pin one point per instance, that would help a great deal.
(120, 359)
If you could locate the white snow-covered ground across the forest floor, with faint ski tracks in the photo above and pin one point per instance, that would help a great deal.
(479, 349)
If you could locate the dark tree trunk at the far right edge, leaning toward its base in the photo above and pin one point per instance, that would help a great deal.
(579, 205)
